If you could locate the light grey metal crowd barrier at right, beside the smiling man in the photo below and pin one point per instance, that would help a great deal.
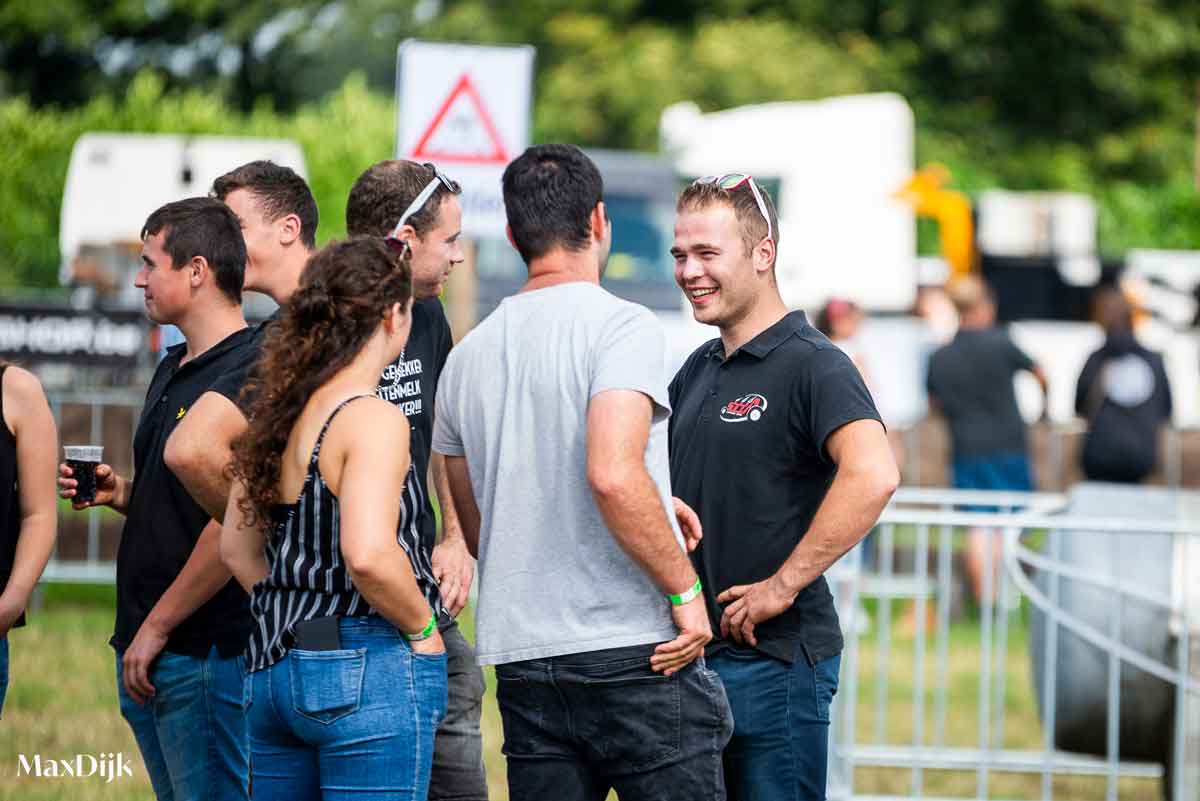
(925, 734)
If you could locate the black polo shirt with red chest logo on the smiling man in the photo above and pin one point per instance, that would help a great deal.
(748, 453)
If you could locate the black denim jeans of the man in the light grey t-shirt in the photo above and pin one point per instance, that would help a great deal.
(578, 726)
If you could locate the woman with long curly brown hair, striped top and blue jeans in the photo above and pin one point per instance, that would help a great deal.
(346, 671)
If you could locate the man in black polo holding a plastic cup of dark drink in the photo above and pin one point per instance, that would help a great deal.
(181, 622)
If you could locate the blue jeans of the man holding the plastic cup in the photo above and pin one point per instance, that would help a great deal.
(193, 733)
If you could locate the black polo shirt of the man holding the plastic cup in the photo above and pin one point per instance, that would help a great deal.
(164, 523)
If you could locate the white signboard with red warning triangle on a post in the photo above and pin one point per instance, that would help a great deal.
(466, 109)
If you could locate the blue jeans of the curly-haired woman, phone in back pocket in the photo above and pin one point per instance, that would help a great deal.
(349, 724)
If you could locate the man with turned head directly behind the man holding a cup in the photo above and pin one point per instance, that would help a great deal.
(278, 215)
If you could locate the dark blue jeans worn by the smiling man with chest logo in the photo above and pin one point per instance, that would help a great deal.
(781, 740)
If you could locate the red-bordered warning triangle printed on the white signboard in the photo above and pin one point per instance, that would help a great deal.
(461, 131)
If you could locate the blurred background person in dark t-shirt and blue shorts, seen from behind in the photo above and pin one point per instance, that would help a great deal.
(970, 383)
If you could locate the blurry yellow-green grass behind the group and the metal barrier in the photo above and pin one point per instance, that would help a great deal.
(63, 702)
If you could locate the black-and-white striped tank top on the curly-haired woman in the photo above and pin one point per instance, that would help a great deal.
(307, 577)
